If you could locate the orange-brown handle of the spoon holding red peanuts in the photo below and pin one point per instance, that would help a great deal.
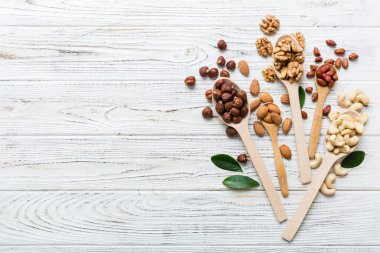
(317, 124)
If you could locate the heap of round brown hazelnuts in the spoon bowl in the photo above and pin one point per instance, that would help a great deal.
(230, 102)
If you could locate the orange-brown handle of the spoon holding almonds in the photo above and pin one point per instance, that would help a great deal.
(280, 167)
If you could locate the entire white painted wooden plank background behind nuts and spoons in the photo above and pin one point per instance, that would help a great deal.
(103, 149)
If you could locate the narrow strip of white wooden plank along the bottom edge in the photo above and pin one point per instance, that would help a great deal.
(189, 249)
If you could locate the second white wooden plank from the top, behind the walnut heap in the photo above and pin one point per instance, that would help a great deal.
(157, 54)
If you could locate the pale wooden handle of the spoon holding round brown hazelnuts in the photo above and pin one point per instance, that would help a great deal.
(258, 163)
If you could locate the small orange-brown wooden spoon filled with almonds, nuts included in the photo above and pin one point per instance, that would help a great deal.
(270, 116)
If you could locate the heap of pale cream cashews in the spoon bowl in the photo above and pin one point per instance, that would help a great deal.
(343, 133)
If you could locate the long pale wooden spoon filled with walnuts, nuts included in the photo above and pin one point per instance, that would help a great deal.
(287, 61)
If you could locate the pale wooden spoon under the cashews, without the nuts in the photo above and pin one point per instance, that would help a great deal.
(312, 191)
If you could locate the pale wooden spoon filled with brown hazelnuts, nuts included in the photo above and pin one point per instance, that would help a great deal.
(231, 104)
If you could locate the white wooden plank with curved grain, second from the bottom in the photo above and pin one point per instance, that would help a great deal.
(181, 218)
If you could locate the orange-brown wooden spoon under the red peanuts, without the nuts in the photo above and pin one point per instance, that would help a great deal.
(318, 114)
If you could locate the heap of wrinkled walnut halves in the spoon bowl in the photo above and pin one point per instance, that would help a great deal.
(288, 59)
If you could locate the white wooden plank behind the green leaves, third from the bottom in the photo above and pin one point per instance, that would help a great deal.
(158, 163)
